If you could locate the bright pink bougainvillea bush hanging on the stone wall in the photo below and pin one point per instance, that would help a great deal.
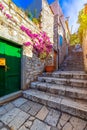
(41, 43)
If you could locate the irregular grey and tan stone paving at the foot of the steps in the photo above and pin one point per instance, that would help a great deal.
(22, 114)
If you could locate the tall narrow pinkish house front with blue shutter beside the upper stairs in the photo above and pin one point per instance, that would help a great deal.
(60, 33)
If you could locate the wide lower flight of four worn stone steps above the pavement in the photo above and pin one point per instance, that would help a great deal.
(62, 90)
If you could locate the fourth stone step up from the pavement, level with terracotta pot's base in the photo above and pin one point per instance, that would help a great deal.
(68, 74)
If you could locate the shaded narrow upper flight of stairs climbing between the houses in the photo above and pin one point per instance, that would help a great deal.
(73, 62)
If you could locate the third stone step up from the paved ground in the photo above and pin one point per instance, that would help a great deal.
(63, 81)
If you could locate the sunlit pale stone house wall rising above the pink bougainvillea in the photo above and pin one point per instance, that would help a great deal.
(47, 20)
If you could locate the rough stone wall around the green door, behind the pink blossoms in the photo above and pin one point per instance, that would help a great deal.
(10, 30)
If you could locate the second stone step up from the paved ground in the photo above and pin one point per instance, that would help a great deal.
(77, 93)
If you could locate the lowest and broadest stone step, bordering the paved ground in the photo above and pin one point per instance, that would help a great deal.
(75, 107)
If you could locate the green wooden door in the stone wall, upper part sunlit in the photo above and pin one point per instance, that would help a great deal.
(10, 74)
